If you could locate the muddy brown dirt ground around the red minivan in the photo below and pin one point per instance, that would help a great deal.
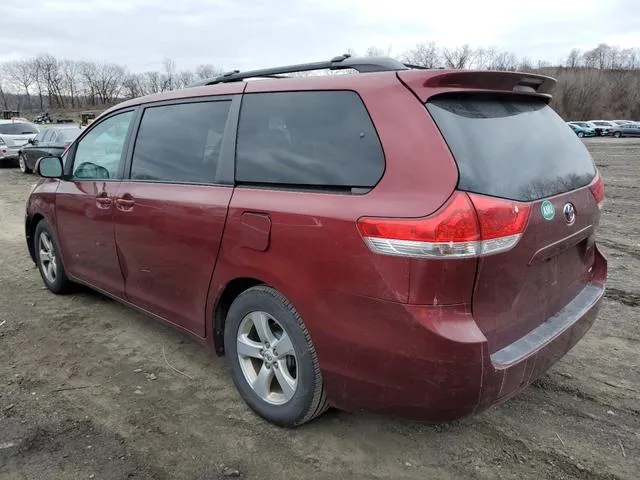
(86, 390)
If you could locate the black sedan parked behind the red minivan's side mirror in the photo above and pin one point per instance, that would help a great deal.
(51, 141)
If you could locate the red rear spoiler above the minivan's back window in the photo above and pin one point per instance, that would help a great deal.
(426, 84)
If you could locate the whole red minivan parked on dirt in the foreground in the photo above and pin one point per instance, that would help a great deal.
(399, 240)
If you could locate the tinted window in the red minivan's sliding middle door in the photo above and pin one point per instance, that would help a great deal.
(180, 143)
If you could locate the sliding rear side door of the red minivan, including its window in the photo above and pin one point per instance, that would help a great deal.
(171, 211)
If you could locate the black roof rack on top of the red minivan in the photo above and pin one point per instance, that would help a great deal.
(341, 62)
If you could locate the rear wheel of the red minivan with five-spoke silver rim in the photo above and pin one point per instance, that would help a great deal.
(258, 359)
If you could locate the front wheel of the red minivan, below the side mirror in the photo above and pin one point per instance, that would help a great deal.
(48, 260)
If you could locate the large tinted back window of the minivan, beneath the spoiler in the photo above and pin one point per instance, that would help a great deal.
(511, 148)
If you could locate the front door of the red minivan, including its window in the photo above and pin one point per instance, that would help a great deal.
(85, 205)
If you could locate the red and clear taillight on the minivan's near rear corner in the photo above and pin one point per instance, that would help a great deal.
(468, 225)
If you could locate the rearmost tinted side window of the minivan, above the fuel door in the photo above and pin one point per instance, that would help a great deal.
(307, 139)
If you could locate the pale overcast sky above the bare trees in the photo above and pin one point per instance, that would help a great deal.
(257, 33)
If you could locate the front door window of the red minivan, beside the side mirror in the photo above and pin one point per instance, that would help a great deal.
(99, 153)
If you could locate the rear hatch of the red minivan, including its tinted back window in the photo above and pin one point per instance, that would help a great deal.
(517, 149)
